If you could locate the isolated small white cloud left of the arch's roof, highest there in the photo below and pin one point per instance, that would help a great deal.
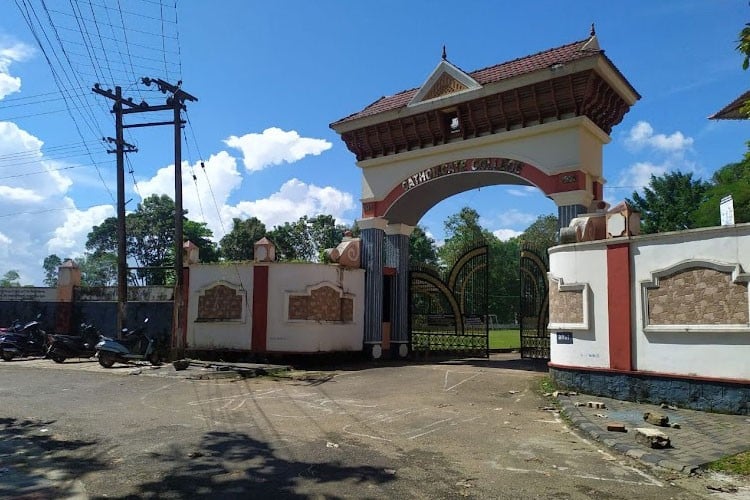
(274, 147)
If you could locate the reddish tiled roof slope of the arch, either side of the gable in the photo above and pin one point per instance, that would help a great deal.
(528, 64)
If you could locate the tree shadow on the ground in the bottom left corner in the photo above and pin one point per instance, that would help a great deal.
(35, 464)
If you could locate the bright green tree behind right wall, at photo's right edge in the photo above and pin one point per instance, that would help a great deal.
(731, 179)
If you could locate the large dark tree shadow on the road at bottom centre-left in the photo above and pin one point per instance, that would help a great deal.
(235, 465)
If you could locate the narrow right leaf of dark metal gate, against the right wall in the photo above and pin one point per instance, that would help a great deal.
(534, 307)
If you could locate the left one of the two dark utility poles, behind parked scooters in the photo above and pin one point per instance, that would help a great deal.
(121, 147)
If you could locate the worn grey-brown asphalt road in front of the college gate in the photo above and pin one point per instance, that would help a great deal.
(475, 429)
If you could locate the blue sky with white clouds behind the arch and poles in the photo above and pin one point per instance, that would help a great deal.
(271, 76)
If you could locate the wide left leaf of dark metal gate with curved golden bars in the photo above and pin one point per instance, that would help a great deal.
(448, 310)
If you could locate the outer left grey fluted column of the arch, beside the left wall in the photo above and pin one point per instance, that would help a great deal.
(372, 234)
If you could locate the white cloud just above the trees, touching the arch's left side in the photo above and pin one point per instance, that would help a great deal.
(293, 200)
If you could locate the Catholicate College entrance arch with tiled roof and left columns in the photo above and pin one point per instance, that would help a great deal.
(541, 120)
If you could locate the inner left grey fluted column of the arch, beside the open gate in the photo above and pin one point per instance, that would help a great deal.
(398, 257)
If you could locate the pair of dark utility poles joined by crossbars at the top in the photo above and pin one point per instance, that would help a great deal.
(176, 103)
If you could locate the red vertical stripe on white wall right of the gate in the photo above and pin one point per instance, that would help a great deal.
(619, 306)
